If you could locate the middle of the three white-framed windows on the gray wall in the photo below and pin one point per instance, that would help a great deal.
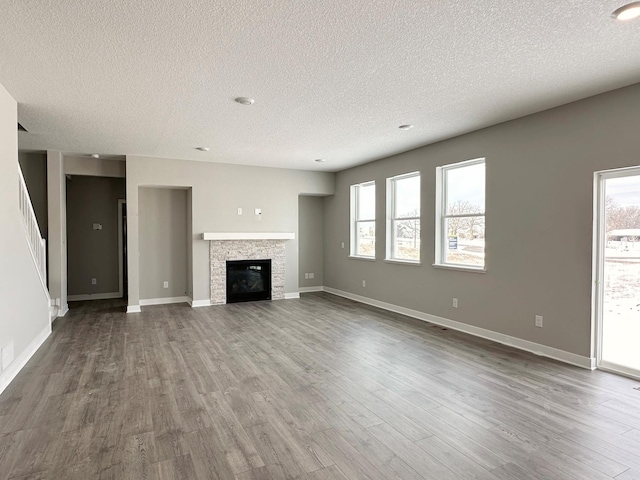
(403, 217)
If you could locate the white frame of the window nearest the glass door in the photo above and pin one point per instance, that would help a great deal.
(441, 217)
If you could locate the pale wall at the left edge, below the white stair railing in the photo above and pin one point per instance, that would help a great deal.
(24, 308)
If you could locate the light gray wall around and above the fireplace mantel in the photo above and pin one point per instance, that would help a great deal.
(218, 190)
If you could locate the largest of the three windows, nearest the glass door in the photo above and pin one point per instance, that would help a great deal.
(460, 214)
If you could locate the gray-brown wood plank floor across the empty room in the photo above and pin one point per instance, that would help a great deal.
(316, 388)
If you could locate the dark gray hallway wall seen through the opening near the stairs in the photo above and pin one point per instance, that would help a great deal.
(93, 253)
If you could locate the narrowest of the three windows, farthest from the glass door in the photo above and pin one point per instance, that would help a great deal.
(363, 220)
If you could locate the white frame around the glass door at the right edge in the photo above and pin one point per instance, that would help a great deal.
(599, 242)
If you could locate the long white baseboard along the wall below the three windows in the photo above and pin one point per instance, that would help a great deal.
(536, 348)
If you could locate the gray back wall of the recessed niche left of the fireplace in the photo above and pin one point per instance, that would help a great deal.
(164, 234)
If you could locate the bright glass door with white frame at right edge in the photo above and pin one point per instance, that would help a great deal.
(617, 267)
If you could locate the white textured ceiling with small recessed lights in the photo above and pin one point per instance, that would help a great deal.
(332, 79)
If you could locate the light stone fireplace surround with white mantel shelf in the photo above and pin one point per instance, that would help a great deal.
(246, 246)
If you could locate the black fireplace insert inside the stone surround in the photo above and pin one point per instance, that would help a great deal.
(248, 280)
